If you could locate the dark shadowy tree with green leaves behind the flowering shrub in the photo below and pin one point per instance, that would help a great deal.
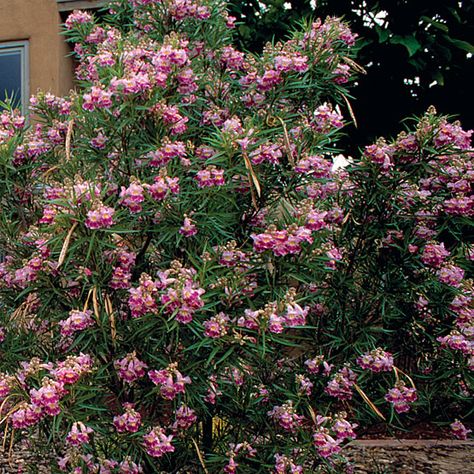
(416, 53)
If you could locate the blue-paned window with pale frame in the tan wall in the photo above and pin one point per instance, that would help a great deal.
(14, 73)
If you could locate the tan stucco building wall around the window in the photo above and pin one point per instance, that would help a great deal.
(38, 21)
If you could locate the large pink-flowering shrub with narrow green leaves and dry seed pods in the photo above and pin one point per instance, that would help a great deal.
(190, 285)
